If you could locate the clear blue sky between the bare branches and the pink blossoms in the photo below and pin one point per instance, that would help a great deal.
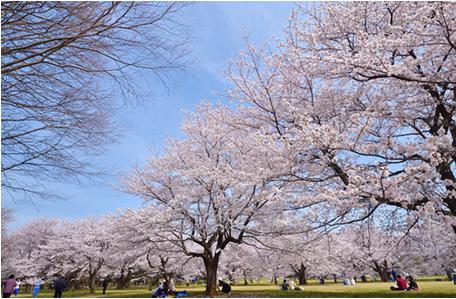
(218, 29)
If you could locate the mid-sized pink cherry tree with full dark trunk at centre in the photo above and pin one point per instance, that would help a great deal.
(201, 192)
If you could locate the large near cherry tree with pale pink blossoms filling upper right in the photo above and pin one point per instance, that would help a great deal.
(360, 97)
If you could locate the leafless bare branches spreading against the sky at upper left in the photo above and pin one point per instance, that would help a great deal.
(66, 66)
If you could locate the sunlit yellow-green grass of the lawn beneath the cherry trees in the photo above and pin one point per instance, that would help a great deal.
(371, 289)
